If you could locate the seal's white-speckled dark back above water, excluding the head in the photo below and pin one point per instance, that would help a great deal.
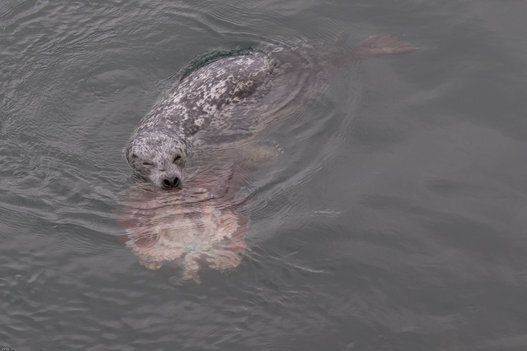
(202, 96)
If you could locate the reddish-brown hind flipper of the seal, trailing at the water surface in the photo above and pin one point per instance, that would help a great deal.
(376, 45)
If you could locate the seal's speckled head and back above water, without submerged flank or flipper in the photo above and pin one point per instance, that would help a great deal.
(205, 99)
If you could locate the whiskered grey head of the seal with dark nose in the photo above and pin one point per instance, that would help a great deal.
(157, 158)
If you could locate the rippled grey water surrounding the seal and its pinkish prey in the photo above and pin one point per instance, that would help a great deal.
(394, 220)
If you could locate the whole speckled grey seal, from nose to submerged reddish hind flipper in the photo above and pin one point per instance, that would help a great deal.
(210, 97)
